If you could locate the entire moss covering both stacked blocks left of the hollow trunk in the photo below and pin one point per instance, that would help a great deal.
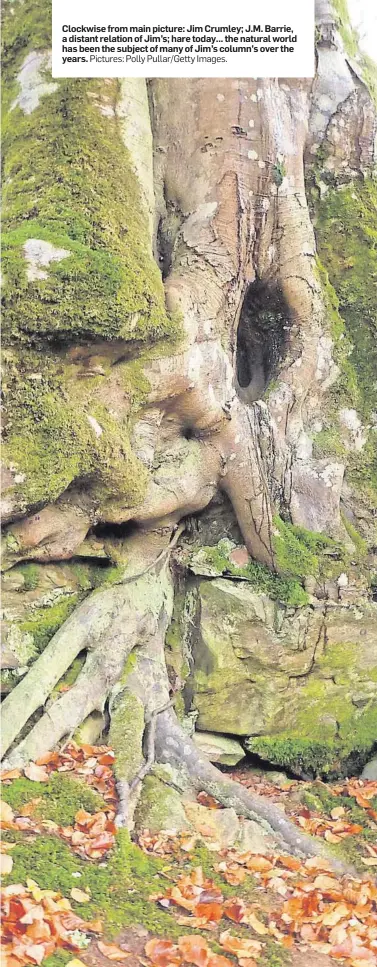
(59, 188)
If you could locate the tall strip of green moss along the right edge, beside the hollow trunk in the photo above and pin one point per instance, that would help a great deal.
(346, 235)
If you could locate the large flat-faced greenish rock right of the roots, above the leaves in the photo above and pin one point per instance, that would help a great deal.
(301, 682)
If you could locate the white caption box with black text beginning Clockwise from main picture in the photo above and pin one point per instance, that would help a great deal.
(200, 39)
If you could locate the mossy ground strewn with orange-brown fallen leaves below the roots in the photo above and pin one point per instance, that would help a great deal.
(77, 891)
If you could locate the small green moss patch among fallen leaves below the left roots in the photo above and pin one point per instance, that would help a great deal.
(61, 797)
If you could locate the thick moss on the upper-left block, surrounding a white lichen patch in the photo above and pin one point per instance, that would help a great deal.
(59, 188)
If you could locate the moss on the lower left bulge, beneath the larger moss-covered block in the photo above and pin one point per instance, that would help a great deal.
(51, 441)
